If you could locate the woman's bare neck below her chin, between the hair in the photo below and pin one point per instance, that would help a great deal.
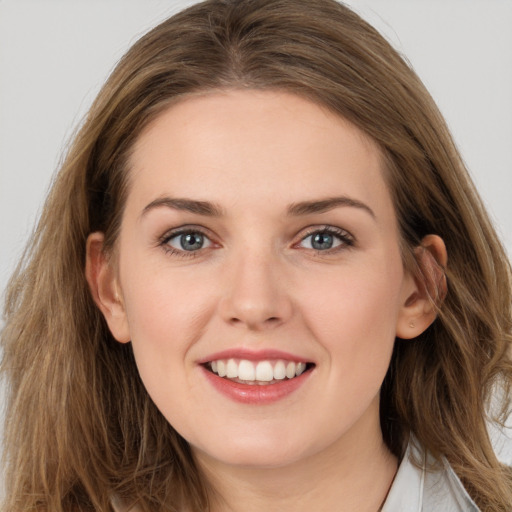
(354, 474)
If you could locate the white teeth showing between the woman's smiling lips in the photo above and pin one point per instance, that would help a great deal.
(260, 373)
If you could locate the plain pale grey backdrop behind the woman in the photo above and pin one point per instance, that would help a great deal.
(55, 54)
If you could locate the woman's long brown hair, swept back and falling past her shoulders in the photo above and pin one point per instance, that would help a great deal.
(80, 427)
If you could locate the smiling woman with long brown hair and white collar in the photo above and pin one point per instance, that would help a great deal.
(262, 280)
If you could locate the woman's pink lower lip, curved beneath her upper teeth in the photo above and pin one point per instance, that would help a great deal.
(256, 393)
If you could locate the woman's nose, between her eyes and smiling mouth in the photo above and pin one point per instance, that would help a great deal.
(257, 294)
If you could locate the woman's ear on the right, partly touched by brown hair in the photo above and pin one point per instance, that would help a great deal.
(426, 290)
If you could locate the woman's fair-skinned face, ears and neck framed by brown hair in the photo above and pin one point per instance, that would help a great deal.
(230, 241)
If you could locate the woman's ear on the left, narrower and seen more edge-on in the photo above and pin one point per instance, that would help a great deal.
(103, 283)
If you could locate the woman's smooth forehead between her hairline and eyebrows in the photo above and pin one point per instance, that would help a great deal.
(259, 143)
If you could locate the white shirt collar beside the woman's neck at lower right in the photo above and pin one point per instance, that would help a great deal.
(421, 489)
